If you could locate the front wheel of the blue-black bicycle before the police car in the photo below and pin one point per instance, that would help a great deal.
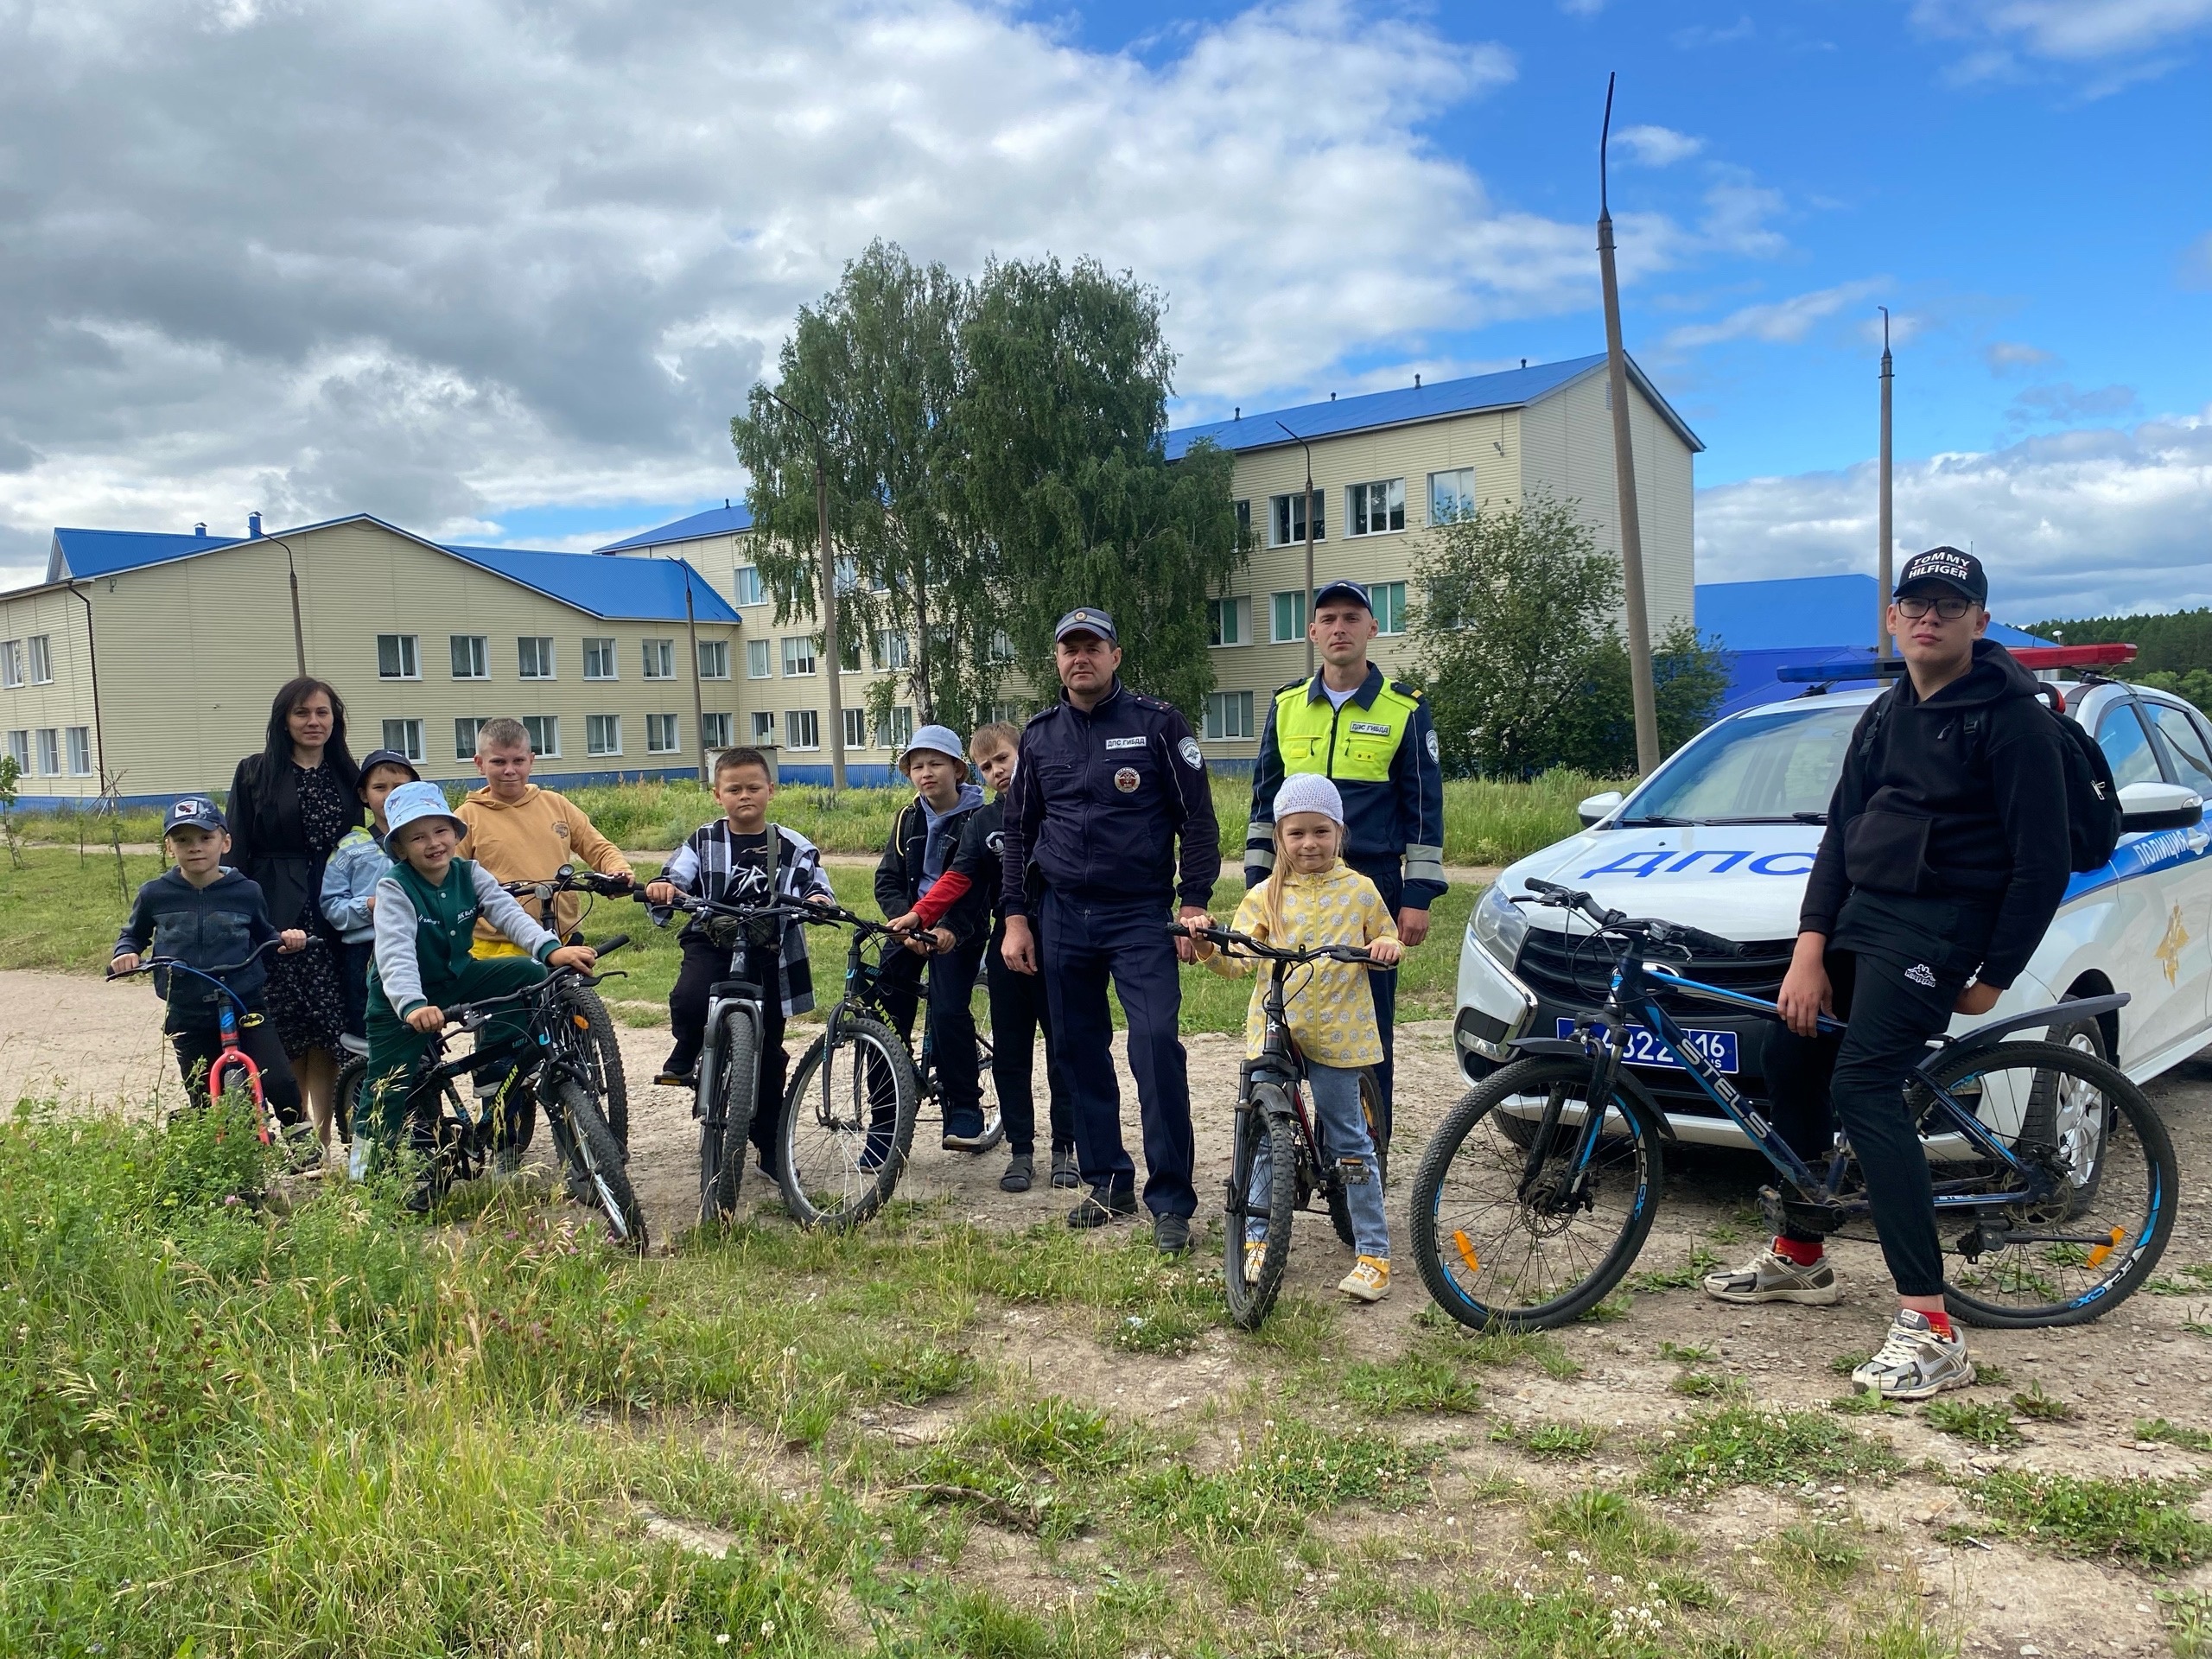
(1499, 1258)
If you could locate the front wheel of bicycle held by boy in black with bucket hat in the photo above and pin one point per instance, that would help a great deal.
(848, 1125)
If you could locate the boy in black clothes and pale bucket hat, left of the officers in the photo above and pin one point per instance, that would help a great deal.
(917, 855)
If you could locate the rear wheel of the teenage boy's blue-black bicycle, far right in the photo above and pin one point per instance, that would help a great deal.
(2100, 1231)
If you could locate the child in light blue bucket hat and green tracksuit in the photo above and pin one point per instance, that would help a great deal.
(426, 921)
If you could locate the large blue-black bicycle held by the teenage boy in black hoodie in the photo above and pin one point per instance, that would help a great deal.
(2054, 1176)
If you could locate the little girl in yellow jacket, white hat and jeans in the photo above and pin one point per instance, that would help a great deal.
(1317, 899)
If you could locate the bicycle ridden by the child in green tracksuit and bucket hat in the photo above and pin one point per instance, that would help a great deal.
(554, 1065)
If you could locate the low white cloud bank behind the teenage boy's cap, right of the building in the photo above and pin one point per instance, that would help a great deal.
(2078, 523)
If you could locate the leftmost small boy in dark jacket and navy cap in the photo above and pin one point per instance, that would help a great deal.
(209, 917)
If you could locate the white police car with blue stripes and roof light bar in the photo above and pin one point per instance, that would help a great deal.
(1724, 835)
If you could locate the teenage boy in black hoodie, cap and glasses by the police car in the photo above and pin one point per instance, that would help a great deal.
(1941, 868)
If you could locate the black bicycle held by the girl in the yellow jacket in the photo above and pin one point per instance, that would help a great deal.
(1271, 1112)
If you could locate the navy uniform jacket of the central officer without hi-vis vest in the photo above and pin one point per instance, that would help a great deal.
(1100, 800)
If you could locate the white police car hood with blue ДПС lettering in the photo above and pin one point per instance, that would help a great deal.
(1738, 881)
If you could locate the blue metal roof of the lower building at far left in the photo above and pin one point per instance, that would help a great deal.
(601, 587)
